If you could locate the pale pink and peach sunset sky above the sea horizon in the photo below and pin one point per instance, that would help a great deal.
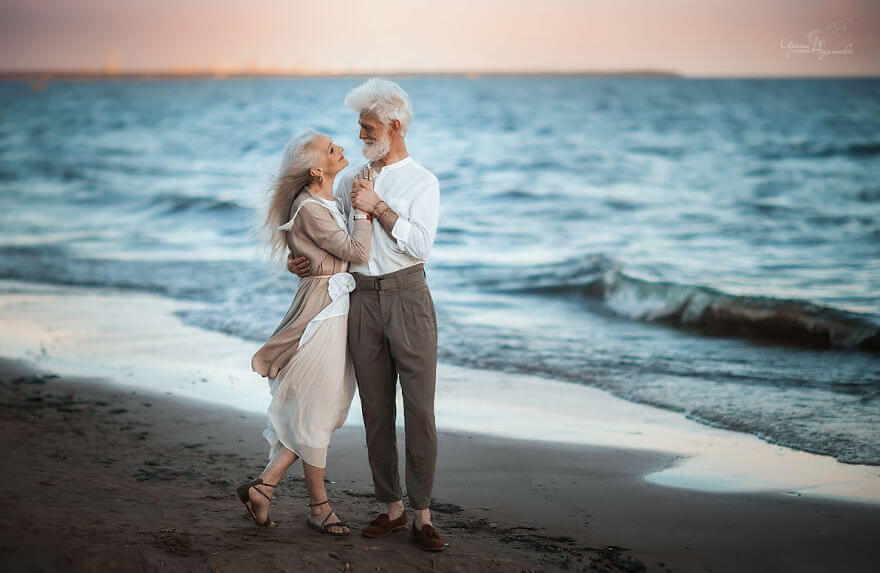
(694, 38)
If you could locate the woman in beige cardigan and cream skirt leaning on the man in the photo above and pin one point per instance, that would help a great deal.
(306, 359)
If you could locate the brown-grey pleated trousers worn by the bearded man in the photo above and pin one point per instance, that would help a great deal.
(392, 331)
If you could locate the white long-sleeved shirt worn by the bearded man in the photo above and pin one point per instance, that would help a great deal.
(413, 193)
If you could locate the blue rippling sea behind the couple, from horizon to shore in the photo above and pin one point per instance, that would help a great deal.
(707, 246)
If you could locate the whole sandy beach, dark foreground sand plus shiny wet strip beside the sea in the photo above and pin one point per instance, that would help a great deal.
(119, 464)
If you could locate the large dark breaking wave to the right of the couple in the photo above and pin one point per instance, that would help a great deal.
(704, 309)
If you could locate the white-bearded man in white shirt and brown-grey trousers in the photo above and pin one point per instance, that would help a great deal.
(392, 327)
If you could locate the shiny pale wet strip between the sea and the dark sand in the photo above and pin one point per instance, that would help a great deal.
(137, 340)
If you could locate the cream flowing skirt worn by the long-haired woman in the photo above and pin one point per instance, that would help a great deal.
(312, 394)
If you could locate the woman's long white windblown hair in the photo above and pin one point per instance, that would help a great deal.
(293, 175)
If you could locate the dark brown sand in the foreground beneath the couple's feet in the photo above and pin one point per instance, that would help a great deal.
(98, 476)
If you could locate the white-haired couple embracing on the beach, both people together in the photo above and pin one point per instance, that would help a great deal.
(362, 316)
